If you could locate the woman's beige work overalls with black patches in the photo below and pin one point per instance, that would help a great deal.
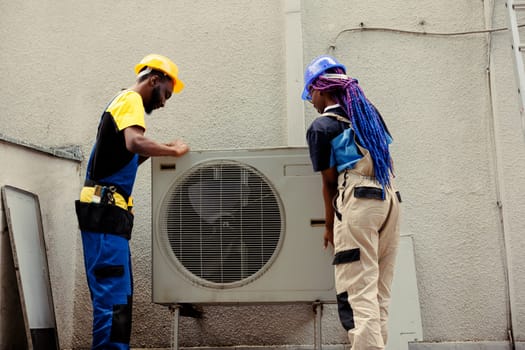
(366, 240)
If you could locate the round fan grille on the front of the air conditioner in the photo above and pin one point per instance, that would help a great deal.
(223, 222)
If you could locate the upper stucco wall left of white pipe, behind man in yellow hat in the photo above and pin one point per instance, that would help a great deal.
(74, 57)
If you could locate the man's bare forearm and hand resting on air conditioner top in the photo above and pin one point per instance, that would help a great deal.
(137, 143)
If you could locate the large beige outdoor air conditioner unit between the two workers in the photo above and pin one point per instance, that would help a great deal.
(234, 226)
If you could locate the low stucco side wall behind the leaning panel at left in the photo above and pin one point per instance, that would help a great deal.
(53, 180)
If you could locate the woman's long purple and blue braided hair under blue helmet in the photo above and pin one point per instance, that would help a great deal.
(365, 119)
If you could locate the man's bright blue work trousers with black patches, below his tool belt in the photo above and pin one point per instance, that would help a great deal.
(107, 261)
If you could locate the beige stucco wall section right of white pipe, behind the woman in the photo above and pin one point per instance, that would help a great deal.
(434, 93)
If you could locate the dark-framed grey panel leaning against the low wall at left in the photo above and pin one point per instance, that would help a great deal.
(29, 254)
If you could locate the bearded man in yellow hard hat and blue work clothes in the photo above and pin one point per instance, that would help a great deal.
(104, 210)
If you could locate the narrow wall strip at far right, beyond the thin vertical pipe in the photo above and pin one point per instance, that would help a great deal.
(510, 151)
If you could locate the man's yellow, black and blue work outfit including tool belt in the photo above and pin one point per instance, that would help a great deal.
(106, 220)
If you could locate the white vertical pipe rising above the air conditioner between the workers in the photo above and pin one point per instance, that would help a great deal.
(294, 72)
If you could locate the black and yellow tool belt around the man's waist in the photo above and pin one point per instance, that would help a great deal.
(102, 215)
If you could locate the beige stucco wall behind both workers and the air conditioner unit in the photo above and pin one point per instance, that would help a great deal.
(62, 61)
